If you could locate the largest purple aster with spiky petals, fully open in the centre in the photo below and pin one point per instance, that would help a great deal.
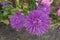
(37, 22)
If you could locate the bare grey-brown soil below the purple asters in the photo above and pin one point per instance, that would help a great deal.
(7, 33)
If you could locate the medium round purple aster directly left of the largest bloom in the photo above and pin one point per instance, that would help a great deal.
(17, 21)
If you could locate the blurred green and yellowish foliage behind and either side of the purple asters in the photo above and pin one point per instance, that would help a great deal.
(25, 6)
